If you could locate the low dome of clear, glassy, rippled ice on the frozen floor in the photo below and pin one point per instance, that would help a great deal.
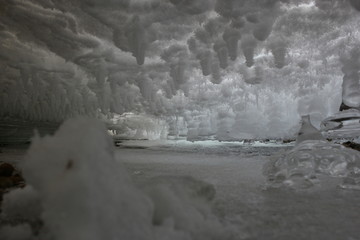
(303, 166)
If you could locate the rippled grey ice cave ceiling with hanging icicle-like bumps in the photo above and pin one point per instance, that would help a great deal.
(228, 68)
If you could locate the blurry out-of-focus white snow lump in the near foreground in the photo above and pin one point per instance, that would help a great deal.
(78, 190)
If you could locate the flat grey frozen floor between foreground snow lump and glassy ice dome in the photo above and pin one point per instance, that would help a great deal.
(235, 169)
